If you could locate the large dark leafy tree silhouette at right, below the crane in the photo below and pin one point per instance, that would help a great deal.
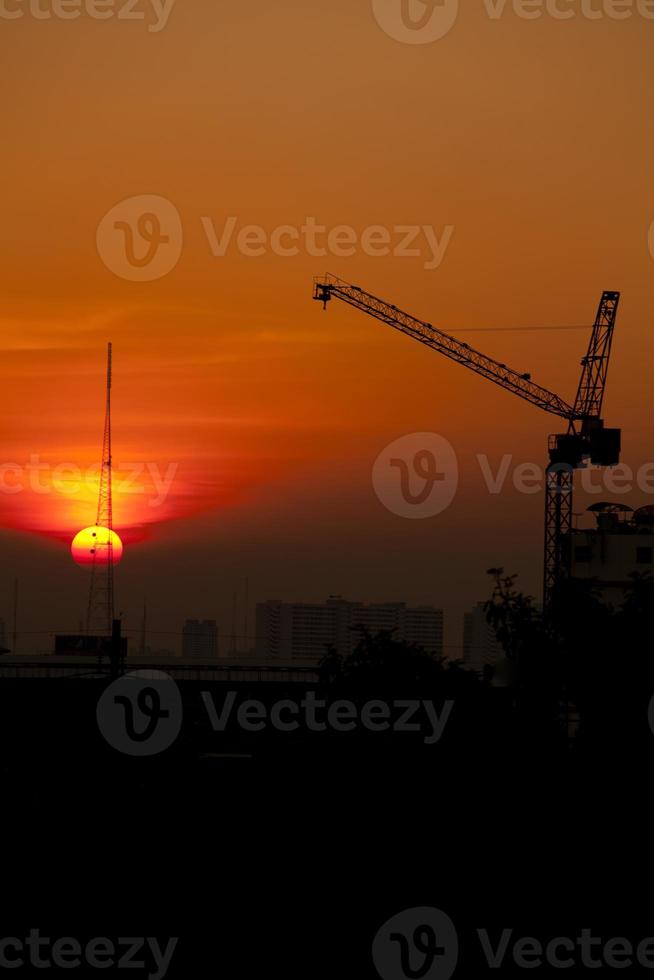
(586, 656)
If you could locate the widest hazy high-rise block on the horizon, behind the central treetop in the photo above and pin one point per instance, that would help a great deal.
(306, 631)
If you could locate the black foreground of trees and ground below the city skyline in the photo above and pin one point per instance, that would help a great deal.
(510, 800)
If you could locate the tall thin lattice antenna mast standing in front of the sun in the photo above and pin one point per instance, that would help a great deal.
(101, 594)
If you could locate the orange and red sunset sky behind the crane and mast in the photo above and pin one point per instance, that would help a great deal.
(530, 140)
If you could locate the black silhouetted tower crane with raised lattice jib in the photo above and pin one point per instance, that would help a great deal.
(585, 438)
